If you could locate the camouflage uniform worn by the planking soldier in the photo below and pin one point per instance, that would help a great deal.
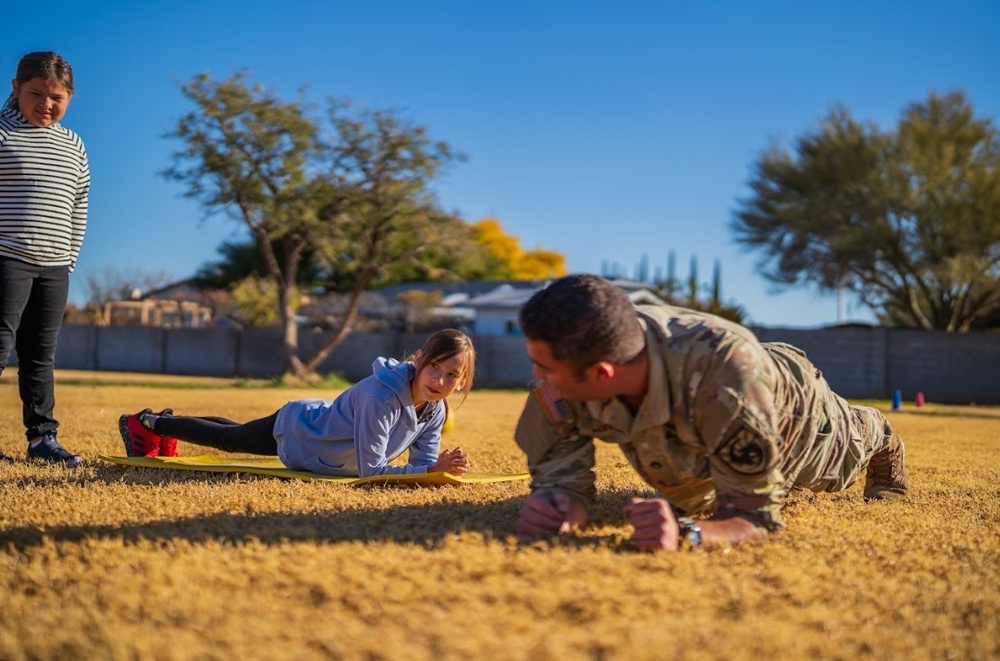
(727, 422)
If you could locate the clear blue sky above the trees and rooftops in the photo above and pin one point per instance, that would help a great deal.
(604, 130)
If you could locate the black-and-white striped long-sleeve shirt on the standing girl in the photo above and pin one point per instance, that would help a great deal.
(44, 185)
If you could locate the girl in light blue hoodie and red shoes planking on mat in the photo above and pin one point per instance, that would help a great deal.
(400, 407)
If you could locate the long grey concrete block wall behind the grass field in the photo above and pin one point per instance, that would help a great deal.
(858, 362)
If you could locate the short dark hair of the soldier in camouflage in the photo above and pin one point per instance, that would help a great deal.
(584, 319)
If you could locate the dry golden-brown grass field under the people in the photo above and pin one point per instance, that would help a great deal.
(114, 562)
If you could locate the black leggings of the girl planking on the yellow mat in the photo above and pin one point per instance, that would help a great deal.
(254, 437)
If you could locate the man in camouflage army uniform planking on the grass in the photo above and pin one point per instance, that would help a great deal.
(721, 425)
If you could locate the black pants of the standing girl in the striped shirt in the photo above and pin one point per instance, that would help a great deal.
(32, 305)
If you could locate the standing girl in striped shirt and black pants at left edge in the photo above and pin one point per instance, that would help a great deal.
(44, 184)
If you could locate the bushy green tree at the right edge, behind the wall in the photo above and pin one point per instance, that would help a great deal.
(908, 218)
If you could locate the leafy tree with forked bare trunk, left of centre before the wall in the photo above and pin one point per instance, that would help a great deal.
(351, 188)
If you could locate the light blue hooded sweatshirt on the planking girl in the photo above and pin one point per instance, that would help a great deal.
(367, 426)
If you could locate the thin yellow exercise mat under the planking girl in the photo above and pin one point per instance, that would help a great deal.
(273, 466)
